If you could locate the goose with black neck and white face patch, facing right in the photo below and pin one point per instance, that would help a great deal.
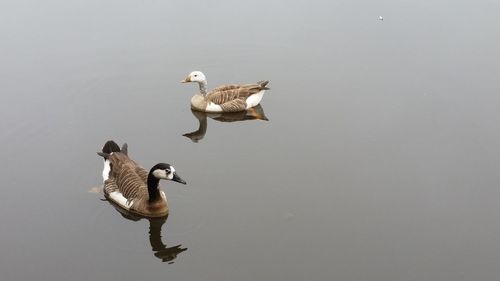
(132, 187)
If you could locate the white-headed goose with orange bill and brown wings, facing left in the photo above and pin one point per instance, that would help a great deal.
(226, 98)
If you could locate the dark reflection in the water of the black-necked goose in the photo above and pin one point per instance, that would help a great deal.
(160, 250)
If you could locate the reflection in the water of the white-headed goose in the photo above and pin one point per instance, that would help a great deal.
(254, 113)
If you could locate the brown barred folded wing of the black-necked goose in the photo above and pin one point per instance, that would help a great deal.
(126, 176)
